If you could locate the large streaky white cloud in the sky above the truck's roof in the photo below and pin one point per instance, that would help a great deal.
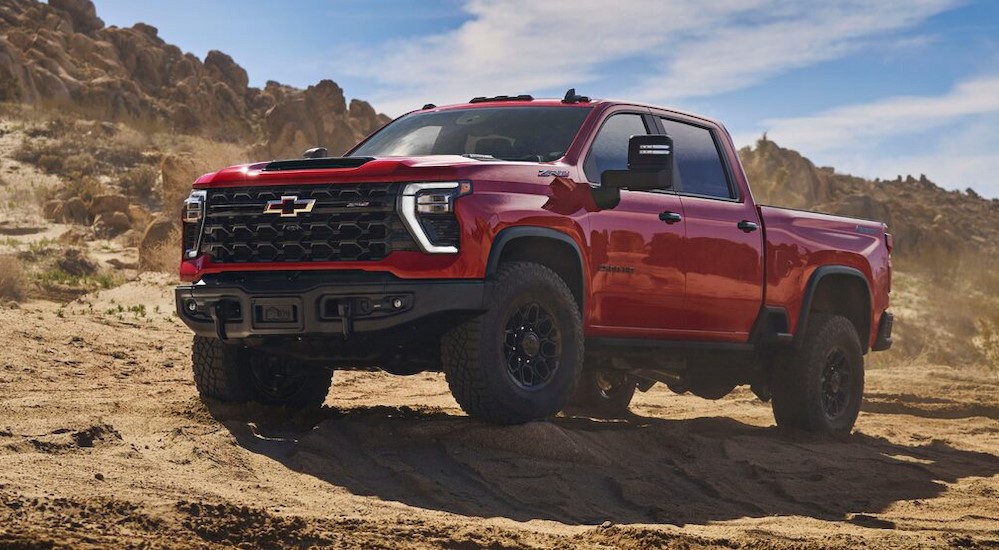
(693, 49)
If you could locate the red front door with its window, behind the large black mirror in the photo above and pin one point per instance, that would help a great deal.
(637, 285)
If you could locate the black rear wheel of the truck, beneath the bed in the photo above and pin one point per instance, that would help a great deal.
(819, 386)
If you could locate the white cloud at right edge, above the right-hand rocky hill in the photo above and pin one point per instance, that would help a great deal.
(952, 138)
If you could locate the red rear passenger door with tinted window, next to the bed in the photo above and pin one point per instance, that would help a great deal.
(723, 251)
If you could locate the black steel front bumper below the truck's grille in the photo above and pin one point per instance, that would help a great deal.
(240, 309)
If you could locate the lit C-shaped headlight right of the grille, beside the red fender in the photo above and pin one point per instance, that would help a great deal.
(427, 210)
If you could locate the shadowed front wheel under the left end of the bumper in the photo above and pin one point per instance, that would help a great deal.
(233, 373)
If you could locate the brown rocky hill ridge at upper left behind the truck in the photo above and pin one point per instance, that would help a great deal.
(61, 54)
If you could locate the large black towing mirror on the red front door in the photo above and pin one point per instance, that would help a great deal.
(650, 165)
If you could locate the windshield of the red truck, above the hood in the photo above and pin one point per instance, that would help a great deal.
(536, 134)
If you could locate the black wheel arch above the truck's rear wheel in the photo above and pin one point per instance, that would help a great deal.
(837, 290)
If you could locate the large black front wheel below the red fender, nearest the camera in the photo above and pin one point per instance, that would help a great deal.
(520, 359)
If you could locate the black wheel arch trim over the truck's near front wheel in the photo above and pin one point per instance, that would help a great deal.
(548, 247)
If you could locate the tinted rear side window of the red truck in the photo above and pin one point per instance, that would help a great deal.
(699, 168)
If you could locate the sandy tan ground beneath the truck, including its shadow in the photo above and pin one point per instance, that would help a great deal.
(104, 442)
